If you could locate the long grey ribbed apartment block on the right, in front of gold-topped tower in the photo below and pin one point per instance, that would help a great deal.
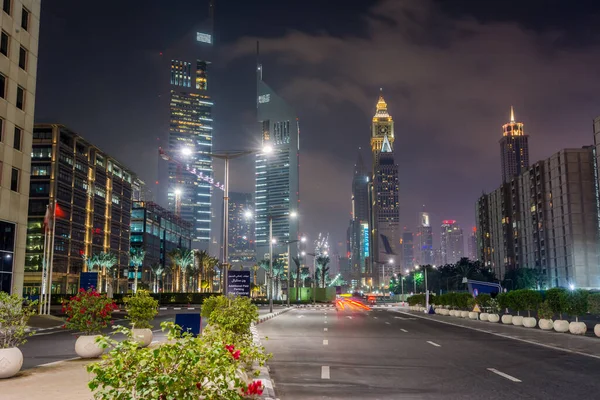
(553, 225)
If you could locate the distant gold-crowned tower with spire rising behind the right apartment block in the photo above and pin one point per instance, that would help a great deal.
(514, 149)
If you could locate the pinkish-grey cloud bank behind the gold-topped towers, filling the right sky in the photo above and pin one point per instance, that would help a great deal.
(449, 82)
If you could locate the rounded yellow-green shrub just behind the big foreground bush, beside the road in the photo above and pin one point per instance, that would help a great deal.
(234, 314)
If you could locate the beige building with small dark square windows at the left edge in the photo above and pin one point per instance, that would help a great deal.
(20, 25)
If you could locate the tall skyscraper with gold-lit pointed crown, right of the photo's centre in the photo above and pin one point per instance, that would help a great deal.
(385, 204)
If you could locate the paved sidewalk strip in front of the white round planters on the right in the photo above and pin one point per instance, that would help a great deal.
(583, 345)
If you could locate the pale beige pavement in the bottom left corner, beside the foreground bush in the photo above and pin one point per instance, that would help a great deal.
(66, 381)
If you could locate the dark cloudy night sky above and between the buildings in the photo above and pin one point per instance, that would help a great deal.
(449, 69)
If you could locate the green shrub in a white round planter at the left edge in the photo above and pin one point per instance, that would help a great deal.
(14, 314)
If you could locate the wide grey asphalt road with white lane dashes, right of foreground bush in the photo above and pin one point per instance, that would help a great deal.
(381, 354)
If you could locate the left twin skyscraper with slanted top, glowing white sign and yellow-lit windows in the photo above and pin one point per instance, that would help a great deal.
(191, 131)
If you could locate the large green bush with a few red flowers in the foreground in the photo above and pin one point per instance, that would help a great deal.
(184, 368)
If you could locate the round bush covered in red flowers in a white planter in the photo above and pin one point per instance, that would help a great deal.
(88, 312)
